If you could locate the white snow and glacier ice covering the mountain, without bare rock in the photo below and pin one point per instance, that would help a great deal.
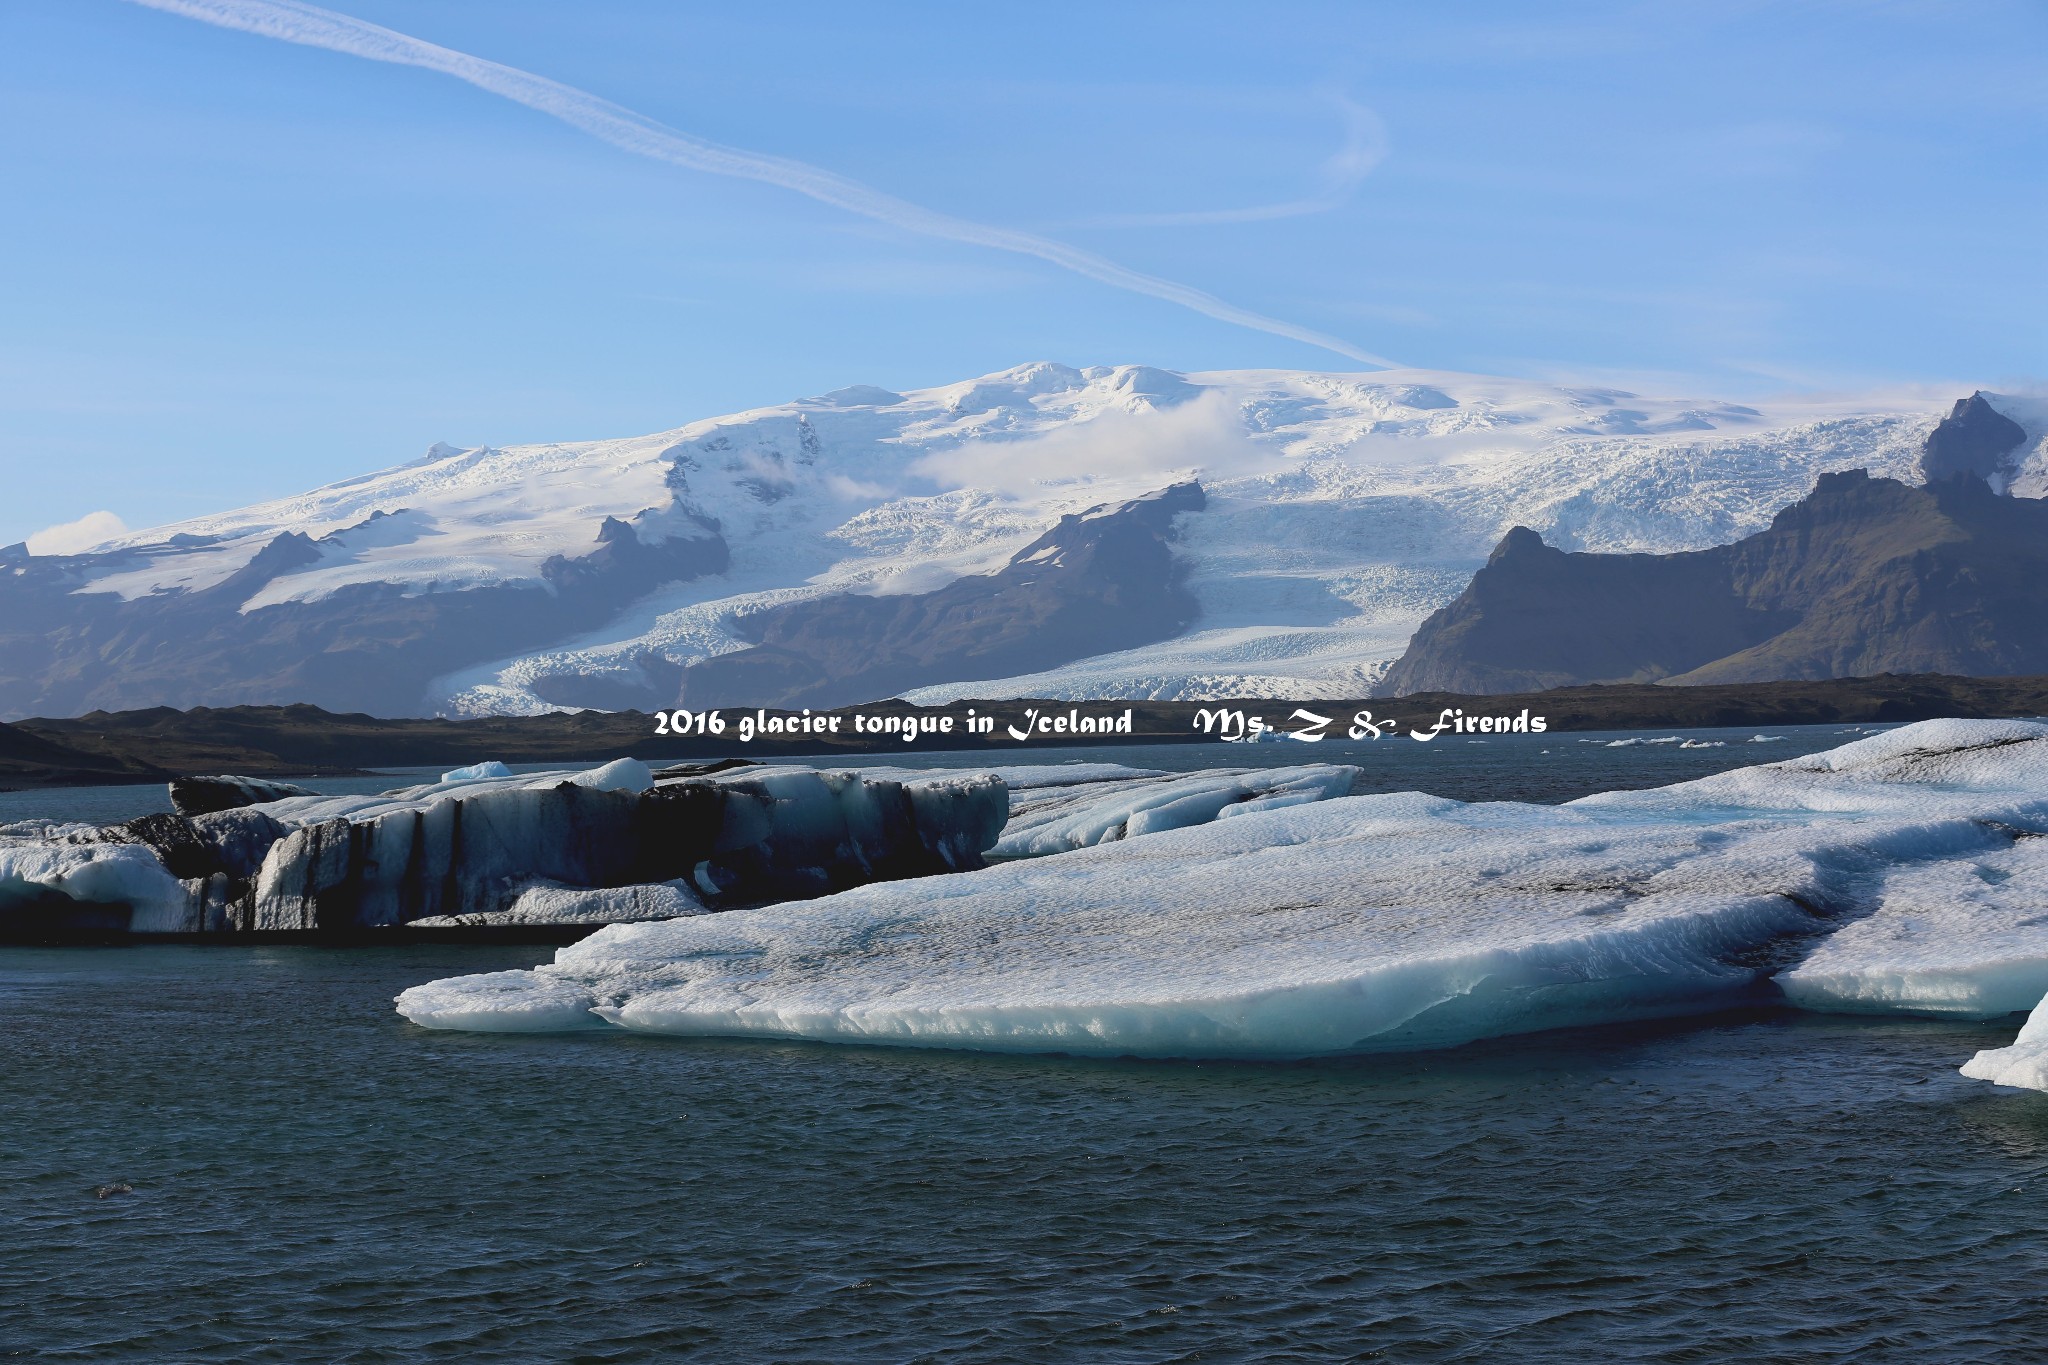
(1342, 511)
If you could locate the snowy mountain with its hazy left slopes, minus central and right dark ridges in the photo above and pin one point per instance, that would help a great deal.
(1340, 511)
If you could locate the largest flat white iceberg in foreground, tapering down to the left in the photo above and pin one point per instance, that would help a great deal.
(1351, 926)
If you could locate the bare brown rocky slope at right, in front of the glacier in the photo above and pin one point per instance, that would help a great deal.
(1865, 576)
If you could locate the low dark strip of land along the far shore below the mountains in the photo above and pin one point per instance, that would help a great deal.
(306, 742)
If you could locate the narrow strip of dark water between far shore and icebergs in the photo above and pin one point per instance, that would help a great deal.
(1467, 768)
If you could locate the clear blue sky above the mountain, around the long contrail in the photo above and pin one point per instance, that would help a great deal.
(234, 269)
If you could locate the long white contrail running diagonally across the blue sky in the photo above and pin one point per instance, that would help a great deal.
(292, 21)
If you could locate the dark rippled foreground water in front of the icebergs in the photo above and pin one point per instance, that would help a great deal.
(316, 1180)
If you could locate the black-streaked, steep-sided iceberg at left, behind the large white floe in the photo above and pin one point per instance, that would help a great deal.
(484, 850)
